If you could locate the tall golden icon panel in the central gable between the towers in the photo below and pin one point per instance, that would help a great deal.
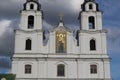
(61, 42)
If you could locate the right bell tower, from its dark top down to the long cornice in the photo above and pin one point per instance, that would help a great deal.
(92, 38)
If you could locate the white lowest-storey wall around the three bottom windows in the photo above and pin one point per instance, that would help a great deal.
(74, 68)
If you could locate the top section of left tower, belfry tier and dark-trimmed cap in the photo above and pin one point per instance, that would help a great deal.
(31, 15)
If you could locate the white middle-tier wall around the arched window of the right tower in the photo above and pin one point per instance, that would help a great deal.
(99, 37)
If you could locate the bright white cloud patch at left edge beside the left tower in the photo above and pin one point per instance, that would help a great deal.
(4, 25)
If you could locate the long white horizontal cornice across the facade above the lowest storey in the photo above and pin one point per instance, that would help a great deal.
(66, 56)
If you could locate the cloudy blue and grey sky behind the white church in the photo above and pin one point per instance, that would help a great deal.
(10, 20)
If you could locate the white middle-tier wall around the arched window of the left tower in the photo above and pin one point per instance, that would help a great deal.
(22, 36)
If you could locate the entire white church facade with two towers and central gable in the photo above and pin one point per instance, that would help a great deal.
(61, 58)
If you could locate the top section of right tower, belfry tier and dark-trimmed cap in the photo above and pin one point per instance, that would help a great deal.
(90, 17)
